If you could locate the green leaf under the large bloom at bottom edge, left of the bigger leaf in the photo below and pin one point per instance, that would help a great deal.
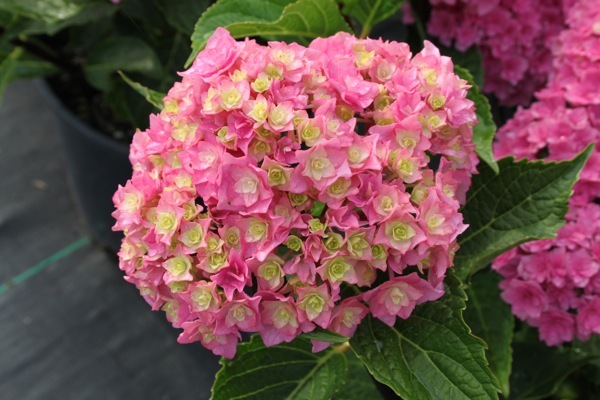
(286, 371)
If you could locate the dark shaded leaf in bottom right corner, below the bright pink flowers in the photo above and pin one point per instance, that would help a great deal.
(539, 370)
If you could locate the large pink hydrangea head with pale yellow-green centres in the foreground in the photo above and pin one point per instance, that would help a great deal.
(285, 188)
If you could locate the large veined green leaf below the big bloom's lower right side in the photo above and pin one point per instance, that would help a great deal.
(431, 355)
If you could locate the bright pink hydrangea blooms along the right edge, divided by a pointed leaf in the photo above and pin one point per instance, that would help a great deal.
(555, 284)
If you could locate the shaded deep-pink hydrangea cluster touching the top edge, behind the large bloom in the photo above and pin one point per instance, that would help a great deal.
(514, 37)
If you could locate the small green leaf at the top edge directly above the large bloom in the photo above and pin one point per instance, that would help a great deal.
(370, 12)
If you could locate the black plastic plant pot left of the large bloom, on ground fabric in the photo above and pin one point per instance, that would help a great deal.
(96, 165)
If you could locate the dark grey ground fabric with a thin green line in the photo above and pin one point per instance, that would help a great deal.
(70, 327)
